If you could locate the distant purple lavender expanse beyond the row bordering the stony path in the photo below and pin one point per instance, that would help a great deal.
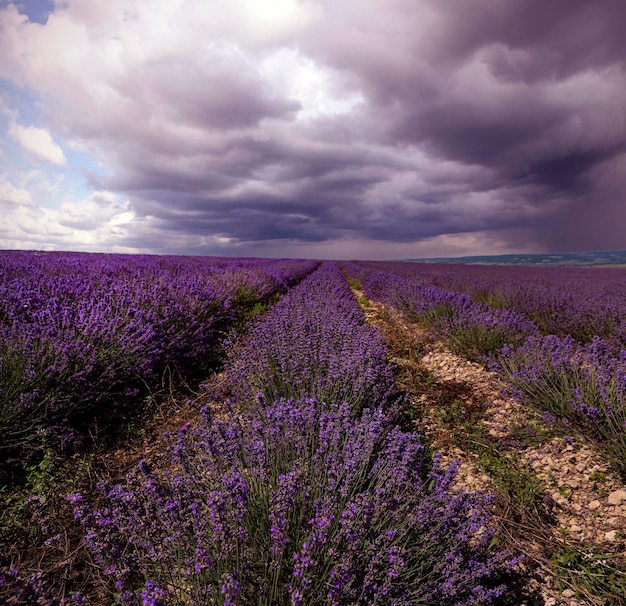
(580, 302)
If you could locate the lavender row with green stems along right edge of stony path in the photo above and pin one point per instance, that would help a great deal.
(579, 384)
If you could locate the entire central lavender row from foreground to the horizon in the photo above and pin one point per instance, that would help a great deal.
(312, 495)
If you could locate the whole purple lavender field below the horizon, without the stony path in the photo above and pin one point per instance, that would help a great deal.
(300, 476)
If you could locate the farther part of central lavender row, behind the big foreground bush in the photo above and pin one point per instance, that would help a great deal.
(313, 342)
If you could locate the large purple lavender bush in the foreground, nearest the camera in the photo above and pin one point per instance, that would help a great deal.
(300, 502)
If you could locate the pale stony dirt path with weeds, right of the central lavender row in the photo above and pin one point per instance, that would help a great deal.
(557, 501)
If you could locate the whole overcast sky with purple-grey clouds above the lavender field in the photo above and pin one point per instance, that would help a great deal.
(313, 128)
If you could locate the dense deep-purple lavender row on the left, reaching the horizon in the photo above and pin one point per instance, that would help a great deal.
(84, 336)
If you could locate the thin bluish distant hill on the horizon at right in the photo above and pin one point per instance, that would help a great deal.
(576, 259)
